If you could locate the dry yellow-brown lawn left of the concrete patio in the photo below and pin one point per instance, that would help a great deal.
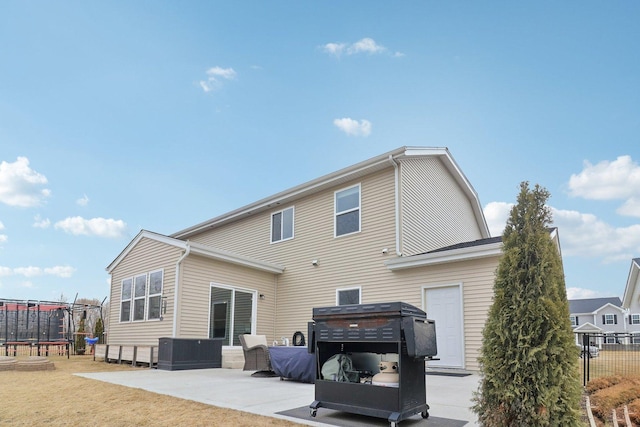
(57, 397)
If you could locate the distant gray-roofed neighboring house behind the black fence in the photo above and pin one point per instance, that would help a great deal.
(599, 315)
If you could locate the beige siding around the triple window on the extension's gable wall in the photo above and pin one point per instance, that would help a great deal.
(148, 255)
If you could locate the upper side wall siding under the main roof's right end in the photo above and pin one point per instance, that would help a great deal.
(435, 211)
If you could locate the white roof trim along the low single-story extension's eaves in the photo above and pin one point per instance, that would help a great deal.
(198, 249)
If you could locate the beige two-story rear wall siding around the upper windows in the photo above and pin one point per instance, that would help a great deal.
(345, 261)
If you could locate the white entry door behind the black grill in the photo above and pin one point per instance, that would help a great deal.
(444, 305)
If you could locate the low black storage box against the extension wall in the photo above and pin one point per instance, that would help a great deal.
(189, 353)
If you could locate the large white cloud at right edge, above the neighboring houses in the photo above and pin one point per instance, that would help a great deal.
(616, 180)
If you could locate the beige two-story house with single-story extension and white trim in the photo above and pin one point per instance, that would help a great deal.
(403, 226)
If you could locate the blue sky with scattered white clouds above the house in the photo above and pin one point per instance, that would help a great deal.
(157, 115)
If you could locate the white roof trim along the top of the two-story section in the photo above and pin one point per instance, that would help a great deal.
(342, 176)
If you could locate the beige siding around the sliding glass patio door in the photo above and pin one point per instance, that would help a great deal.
(198, 275)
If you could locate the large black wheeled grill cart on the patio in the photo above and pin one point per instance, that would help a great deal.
(365, 331)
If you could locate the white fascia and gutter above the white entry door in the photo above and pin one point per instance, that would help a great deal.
(454, 255)
